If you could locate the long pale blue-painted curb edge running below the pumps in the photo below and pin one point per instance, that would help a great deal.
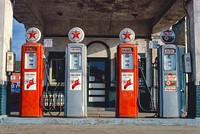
(100, 121)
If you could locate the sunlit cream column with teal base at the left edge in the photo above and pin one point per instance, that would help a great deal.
(6, 22)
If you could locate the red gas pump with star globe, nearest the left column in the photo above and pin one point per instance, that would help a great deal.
(32, 75)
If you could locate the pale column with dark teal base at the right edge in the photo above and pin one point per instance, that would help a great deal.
(193, 9)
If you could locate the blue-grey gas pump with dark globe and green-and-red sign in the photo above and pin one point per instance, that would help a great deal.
(171, 80)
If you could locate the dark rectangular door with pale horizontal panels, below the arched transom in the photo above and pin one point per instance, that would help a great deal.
(98, 76)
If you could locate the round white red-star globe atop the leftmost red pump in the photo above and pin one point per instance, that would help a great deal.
(33, 34)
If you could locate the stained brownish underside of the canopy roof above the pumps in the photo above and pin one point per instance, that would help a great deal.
(99, 18)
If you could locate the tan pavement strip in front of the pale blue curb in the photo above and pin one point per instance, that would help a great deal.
(96, 129)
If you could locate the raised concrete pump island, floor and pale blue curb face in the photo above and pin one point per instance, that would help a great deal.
(99, 117)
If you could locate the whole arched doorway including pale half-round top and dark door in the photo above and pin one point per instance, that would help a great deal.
(98, 57)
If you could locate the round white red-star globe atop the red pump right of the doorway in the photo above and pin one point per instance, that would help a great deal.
(127, 35)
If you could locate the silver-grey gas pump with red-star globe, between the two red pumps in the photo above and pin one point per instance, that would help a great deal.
(76, 75)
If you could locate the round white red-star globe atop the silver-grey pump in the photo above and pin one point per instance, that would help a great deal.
(76, 34)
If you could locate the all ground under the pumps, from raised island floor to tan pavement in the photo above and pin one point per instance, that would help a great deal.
(99, 121)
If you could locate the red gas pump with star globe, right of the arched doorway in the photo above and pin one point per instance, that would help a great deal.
(127, 76)
